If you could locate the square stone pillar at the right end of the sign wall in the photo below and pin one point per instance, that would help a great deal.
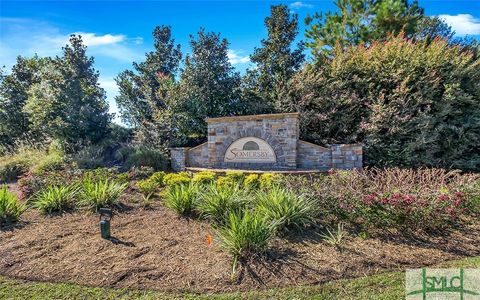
(347, 157)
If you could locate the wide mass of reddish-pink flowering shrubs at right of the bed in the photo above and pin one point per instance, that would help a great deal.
(398, 199)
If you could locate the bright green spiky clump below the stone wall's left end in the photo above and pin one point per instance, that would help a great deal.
(181, 197)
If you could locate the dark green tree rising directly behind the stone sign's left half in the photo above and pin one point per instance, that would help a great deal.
(208, 86)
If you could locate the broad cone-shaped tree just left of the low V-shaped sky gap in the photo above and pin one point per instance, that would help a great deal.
(68, 104)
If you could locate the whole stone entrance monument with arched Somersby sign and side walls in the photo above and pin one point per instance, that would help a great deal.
(263, 142)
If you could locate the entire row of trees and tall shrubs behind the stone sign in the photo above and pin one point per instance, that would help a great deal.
(381, 73)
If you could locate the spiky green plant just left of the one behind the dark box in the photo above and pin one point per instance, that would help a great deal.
(56, 198)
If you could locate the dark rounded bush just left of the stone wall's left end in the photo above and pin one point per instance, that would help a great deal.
(143, 157)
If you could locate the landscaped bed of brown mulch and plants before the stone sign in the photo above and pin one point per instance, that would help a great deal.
(182, 239)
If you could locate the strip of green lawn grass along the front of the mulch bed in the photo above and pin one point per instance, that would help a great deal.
(382, 286)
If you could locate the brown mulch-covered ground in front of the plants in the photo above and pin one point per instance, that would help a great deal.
(154, 249)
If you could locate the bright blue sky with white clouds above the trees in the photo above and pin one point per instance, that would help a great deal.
(119, 32)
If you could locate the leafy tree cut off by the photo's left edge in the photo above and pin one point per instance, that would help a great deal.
(14, 123)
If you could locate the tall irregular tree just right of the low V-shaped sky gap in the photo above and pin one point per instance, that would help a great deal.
(143, 91)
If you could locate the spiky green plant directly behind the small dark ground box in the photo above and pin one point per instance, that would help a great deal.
(96, 195)
